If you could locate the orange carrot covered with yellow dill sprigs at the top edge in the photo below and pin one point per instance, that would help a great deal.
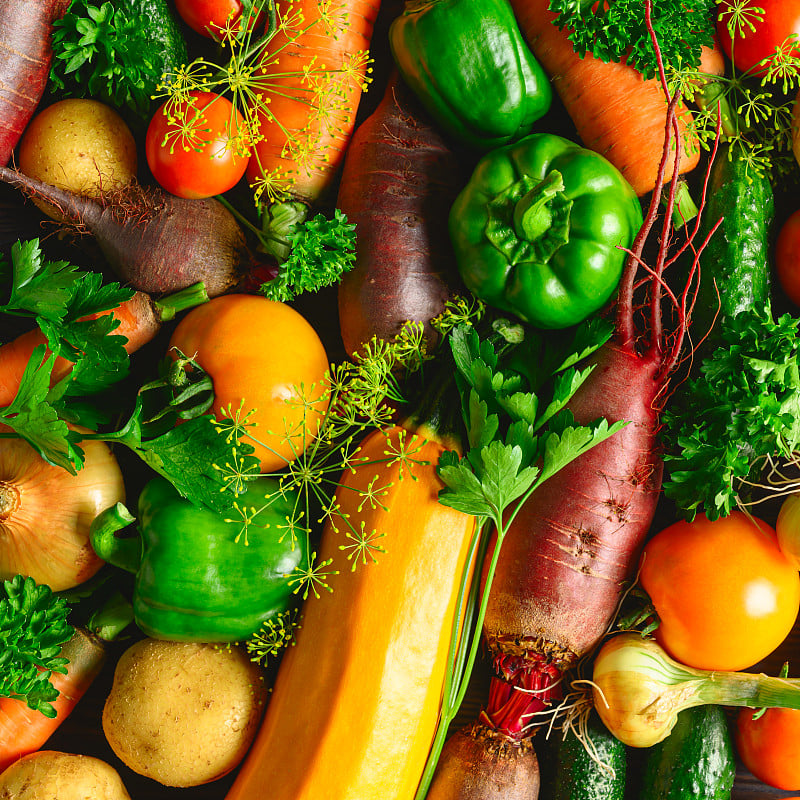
(304, 133)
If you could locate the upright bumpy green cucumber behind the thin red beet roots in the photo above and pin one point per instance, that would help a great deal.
(736, 261)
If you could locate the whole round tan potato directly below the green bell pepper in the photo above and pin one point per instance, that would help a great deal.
(183, 713)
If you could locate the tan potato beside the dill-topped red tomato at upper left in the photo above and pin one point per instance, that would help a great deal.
(80, 145)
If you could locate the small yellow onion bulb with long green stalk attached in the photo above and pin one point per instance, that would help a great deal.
(639, 690)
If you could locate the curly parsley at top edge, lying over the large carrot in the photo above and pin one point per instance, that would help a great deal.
(615, 30)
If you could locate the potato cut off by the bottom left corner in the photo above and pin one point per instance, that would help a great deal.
(49, 775)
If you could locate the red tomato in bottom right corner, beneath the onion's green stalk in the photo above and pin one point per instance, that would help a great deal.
(770, 746)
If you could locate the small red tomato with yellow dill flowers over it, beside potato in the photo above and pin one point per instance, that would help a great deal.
(194, 148)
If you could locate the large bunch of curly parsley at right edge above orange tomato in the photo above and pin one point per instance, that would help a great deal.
(744, 410)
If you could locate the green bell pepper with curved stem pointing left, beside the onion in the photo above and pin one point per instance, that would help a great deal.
(194, 580)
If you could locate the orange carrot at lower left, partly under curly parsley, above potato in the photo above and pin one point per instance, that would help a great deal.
(23, 730)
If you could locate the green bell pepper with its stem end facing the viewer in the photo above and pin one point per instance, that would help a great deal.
(539, 228)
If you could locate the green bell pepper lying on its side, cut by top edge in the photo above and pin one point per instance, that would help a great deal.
(468, 63)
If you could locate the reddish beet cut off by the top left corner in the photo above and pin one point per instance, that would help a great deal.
(25, 54)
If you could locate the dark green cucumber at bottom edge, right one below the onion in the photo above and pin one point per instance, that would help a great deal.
(695, 762)
